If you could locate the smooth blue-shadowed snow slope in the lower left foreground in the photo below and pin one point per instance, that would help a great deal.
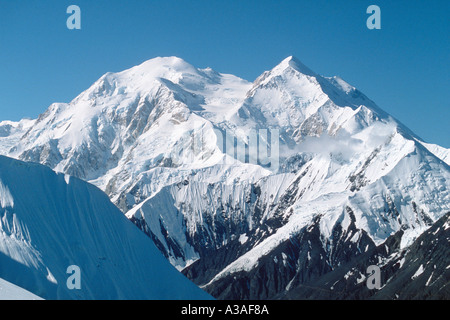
(51, 221)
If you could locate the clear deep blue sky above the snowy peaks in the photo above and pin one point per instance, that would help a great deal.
(404, 67)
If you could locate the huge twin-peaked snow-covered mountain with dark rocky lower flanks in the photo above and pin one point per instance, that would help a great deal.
(226, 175)
